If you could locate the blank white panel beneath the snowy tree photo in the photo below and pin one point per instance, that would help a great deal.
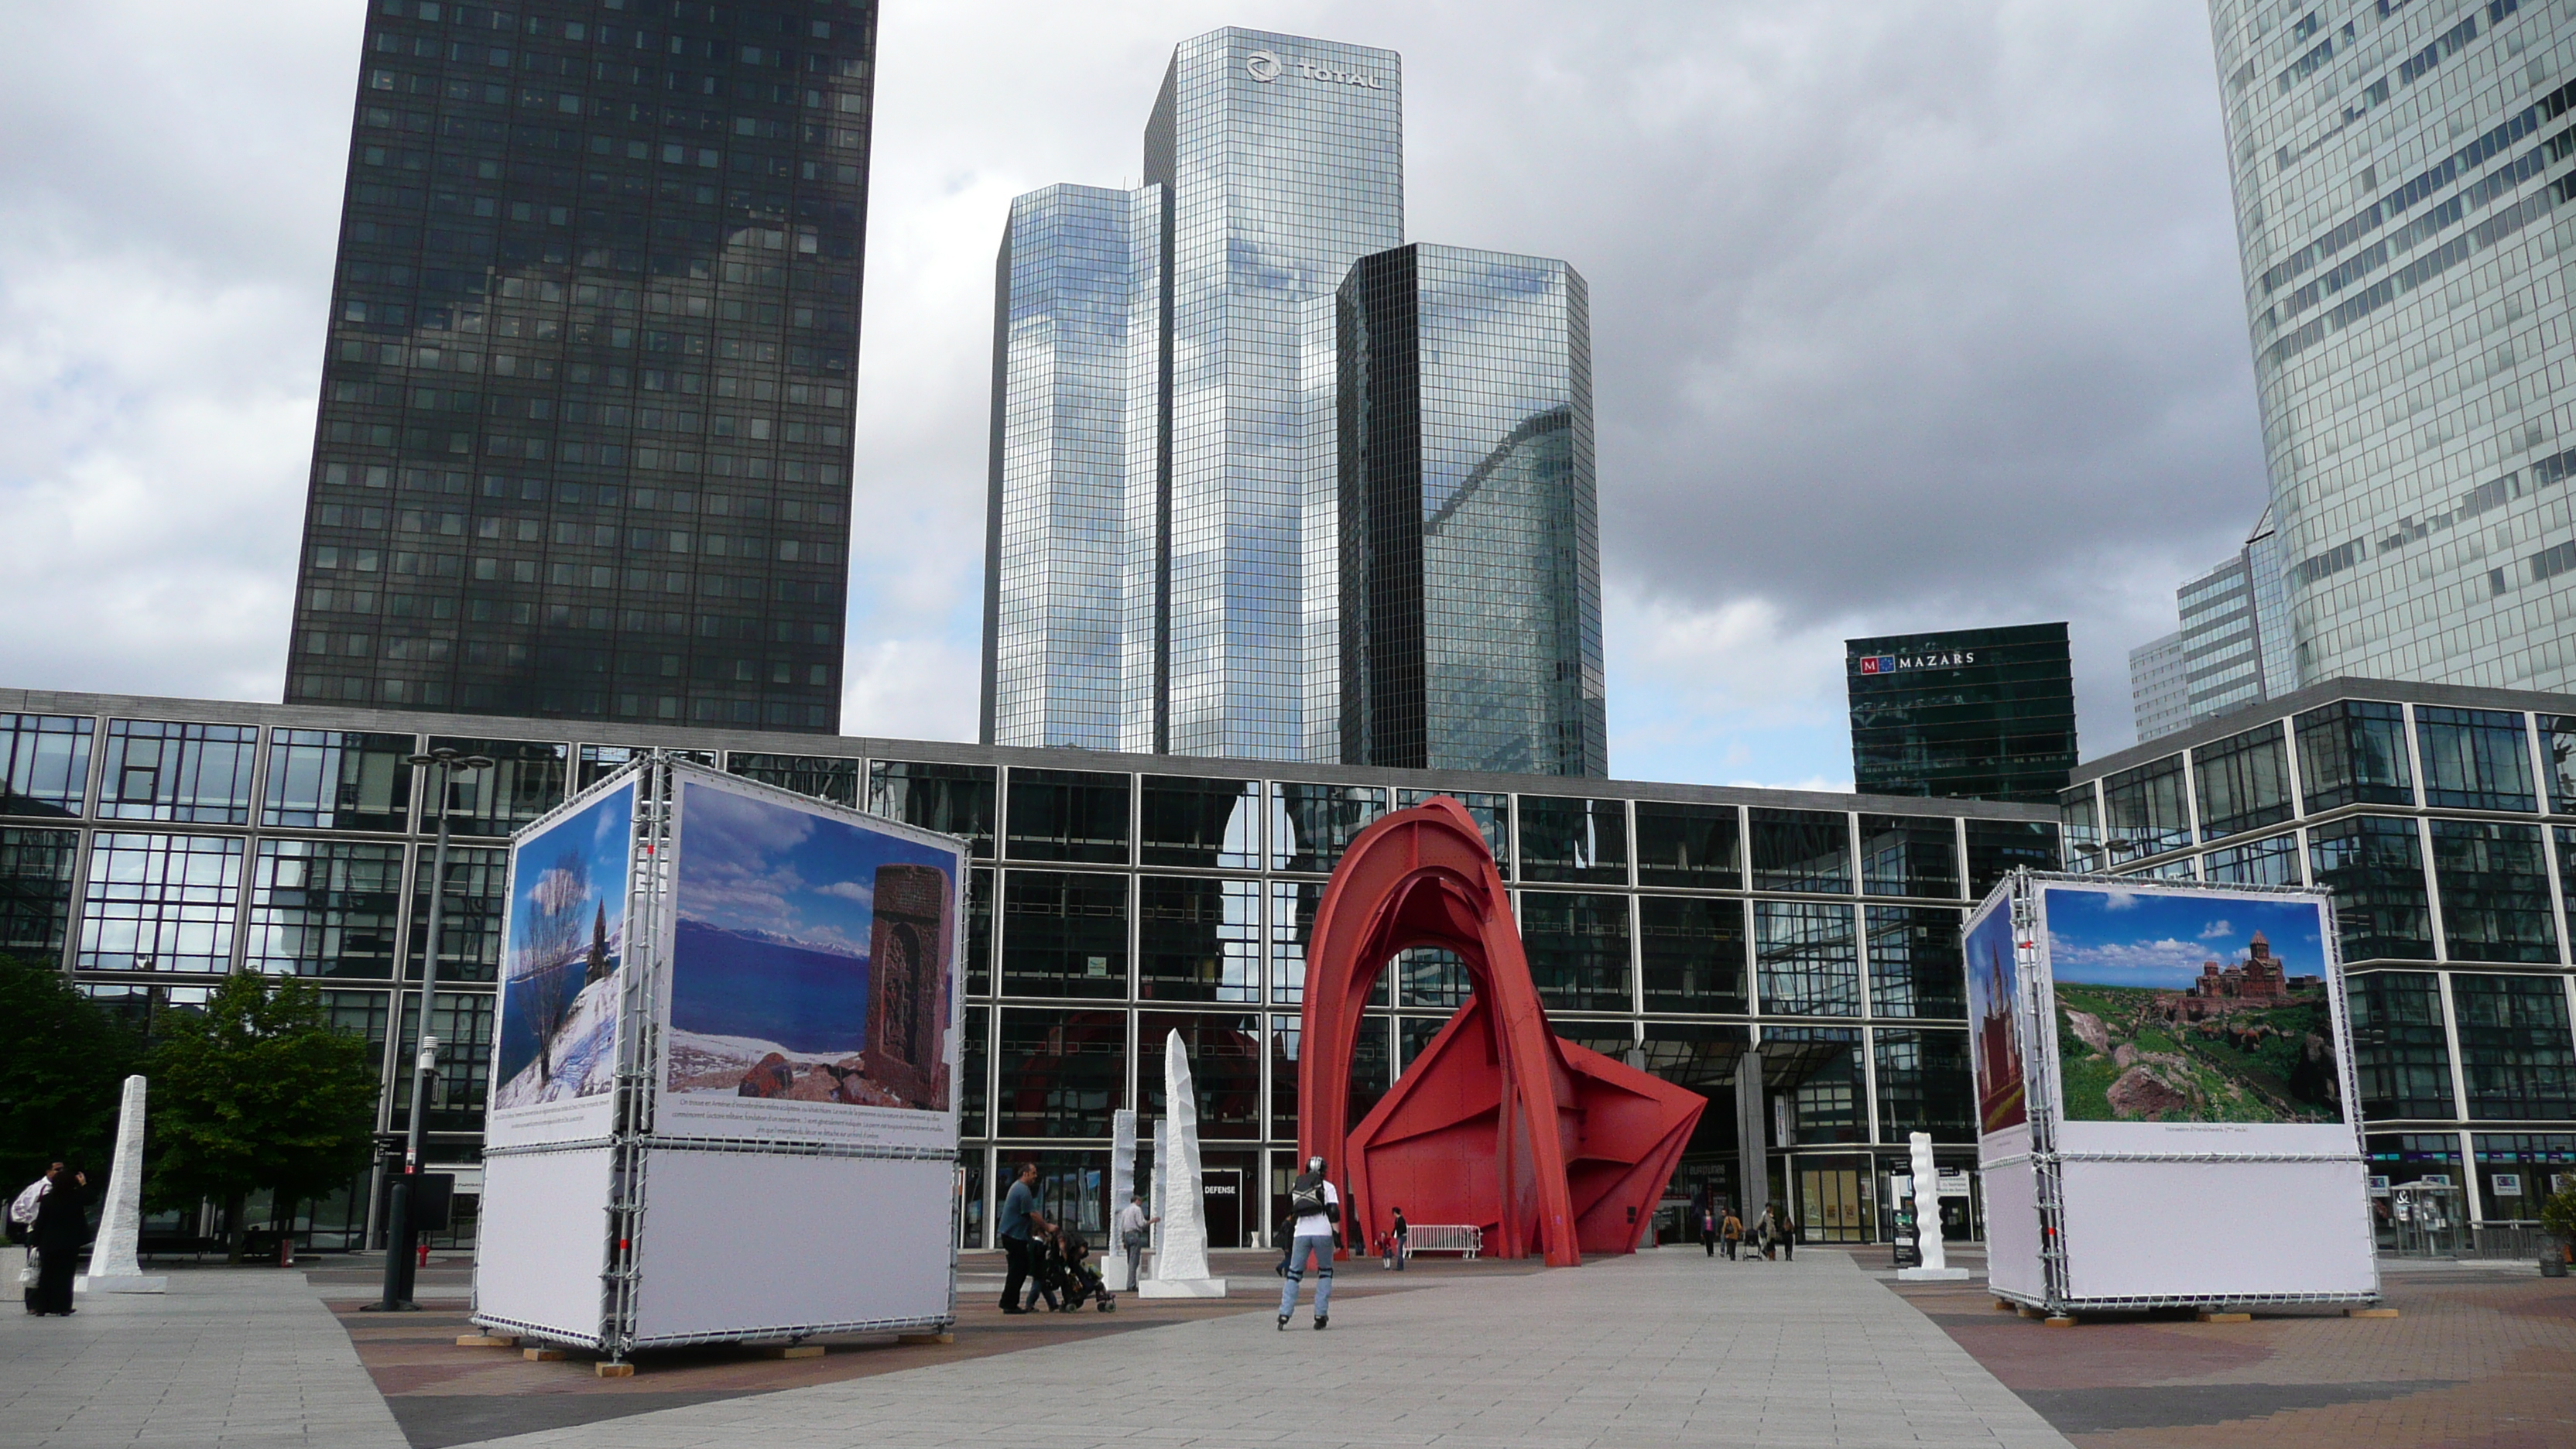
(545, 1241)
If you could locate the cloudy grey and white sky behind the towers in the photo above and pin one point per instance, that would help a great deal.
(1905, 316)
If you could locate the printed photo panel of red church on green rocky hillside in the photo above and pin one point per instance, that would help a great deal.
(2191, 1007)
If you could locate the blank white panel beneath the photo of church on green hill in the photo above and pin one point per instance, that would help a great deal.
(2214, 1231)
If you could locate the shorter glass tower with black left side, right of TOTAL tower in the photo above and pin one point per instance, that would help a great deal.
(1472, 625)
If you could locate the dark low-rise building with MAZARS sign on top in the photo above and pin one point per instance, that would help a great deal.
(1964, 715)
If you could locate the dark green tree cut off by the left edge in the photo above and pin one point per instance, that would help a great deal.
(63, 1069)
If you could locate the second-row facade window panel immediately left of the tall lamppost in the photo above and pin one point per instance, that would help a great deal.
(326, 909)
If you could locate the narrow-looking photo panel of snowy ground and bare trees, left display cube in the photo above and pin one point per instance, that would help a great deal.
(555, 1048)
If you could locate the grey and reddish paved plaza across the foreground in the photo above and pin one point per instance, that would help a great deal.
(1655, 1350)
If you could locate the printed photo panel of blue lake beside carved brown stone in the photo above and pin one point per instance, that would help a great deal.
(810, 971)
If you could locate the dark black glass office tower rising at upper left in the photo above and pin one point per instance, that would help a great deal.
(586, 409)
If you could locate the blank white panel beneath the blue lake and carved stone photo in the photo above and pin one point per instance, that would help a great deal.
(743, 1244)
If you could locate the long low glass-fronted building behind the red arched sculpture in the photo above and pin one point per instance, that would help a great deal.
(153, 844)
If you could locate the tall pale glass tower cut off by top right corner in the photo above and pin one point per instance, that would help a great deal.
(2402, 202)
